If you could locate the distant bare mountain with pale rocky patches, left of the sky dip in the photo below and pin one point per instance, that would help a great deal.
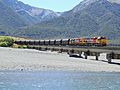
(30, 14)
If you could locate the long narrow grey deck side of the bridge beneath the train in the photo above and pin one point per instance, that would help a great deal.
(83, 49)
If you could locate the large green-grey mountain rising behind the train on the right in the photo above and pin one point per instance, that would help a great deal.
(89, 18)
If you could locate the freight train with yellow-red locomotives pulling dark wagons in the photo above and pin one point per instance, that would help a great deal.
(93, 41)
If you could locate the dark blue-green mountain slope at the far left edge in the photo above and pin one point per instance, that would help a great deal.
(9, 19)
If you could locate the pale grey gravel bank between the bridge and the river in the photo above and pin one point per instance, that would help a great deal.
(24, 59)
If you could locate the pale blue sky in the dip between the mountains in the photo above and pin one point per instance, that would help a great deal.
(55, 5)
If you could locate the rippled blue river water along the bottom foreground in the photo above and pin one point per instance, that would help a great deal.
(58, 80)
